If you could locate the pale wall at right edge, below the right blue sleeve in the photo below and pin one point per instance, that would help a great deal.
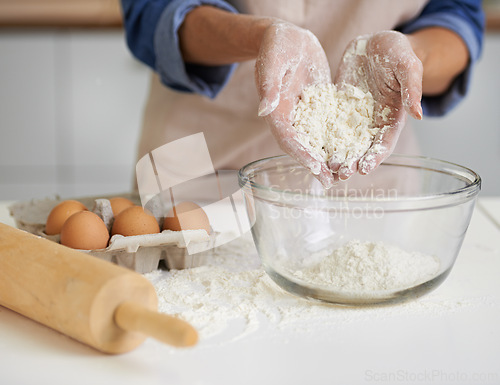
(470, 134)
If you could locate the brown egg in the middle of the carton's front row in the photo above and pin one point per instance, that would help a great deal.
(135, 221)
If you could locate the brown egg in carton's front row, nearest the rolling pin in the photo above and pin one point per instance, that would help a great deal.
(85, 230)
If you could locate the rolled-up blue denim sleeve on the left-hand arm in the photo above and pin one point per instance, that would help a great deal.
(151, 30)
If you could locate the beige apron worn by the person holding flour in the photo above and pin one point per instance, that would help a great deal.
(234, 133)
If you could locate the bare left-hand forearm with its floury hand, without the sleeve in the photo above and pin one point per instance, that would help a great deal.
(288, 59)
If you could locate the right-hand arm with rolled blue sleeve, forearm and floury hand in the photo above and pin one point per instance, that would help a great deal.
(425, 71)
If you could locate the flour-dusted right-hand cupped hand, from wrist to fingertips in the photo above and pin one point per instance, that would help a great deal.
(385, 65)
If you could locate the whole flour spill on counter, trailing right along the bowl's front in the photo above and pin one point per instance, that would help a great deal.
(232, 288)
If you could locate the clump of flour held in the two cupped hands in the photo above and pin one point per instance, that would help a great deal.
(335, 123)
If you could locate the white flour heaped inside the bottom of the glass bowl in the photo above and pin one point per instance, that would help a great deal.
(368, 268)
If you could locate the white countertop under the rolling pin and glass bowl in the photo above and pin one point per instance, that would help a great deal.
(450, 336)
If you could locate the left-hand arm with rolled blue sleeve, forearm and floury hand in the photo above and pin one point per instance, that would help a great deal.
(193, 46)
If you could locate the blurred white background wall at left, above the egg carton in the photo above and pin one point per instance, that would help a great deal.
(70, 110)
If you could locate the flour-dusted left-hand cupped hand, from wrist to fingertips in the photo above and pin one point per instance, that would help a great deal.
(290, 59)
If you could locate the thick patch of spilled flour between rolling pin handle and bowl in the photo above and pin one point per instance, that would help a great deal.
(232, 286)
